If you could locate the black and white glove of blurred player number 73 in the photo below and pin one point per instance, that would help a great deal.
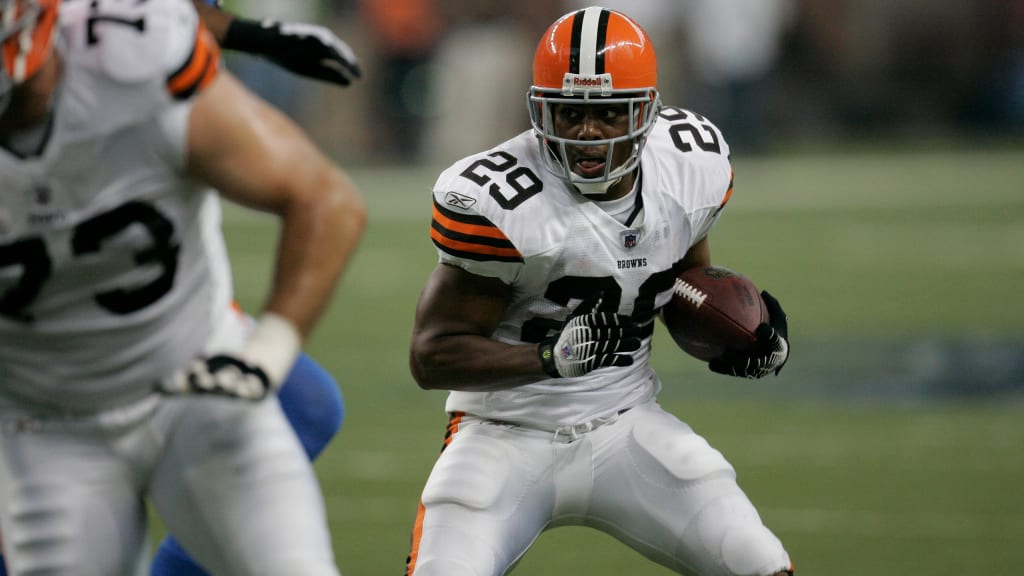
(222, 375)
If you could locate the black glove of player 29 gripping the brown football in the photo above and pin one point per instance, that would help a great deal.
(769, 354)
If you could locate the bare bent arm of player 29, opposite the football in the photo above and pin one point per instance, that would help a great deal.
(452, 348)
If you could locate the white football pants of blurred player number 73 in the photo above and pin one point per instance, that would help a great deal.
(228, 477)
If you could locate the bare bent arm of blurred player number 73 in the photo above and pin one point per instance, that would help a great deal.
(258, 157)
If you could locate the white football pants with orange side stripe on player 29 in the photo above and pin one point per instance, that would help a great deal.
(644, 477)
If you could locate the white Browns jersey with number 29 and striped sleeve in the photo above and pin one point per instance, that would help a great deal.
(501, 214)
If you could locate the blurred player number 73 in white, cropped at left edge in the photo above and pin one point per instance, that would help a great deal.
(125, 374)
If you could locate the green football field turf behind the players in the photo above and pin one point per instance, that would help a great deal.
(887, 264)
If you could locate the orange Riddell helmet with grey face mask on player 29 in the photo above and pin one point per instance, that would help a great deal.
(594, 55)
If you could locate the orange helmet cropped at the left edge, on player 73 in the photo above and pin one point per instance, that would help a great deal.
(27, 31)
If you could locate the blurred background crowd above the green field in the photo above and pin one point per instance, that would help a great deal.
(446, 78)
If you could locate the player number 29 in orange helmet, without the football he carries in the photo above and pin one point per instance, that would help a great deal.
(558, 250)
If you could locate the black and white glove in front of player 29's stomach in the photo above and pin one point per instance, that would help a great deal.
(590, 341)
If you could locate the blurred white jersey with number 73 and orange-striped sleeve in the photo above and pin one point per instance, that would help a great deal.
(113, 271)
